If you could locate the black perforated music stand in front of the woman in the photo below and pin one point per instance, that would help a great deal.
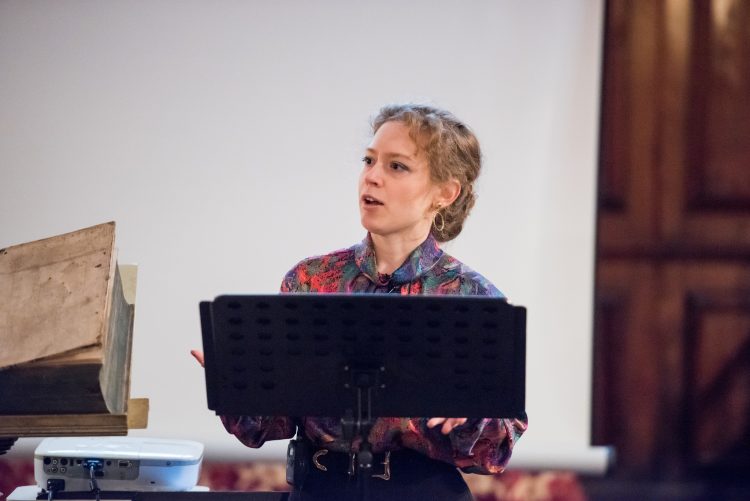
(363, 356)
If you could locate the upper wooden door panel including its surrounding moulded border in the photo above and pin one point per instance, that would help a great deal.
(704, 132)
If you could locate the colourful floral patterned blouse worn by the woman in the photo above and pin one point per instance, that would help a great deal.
(478, 446)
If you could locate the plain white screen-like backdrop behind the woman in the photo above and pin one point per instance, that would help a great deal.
(225, 137)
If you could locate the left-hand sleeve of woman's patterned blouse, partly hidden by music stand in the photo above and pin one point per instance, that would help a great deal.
(254, 431)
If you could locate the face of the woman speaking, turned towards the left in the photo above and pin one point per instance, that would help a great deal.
(396, 195)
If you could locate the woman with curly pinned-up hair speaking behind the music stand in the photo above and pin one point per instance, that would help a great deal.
(415, 190)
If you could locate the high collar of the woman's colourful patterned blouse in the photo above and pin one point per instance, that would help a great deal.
(421, 260)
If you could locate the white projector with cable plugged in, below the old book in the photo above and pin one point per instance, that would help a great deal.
(118, 463)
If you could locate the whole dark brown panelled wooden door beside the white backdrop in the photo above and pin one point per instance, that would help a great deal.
(672, 330)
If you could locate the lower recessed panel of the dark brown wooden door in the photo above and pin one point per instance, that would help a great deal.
(717, 374)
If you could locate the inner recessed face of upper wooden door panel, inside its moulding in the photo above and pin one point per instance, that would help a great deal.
(719, 116)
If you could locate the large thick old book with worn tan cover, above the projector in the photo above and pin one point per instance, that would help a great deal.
(65, 327)
